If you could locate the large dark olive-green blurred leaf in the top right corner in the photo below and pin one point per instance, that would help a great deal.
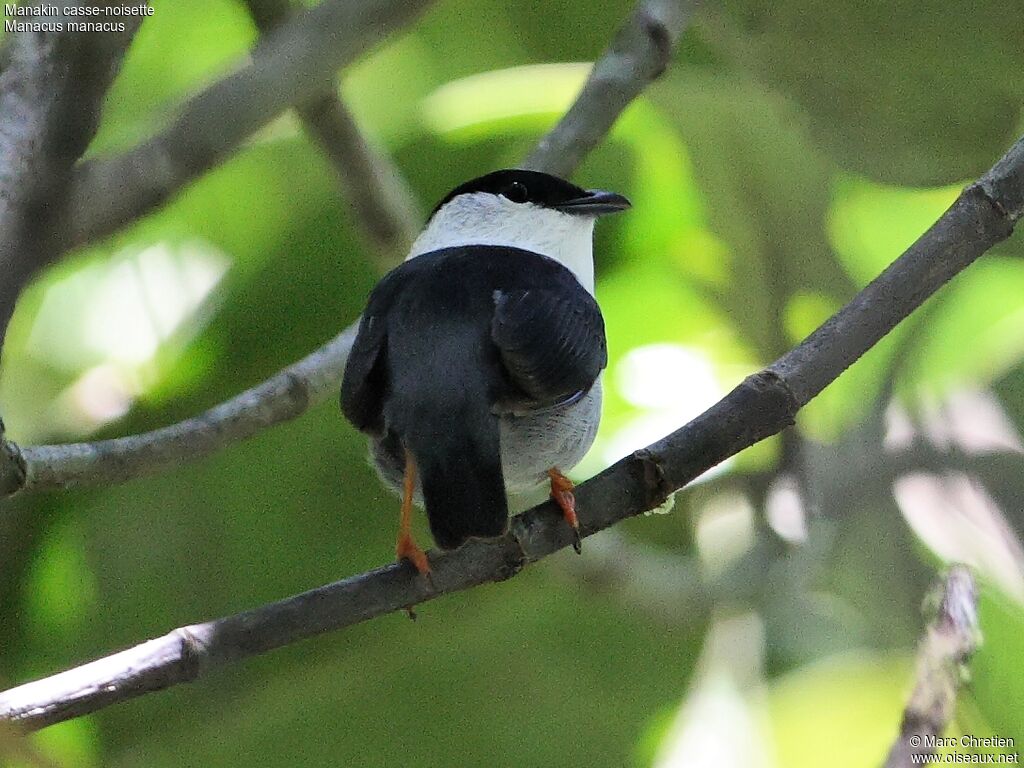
(912, 94)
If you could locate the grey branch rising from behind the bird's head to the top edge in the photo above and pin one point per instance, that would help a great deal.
(642, 52)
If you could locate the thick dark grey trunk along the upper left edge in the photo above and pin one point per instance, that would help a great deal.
(52, 91)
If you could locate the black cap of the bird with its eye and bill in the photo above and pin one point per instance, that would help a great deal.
(542, 190)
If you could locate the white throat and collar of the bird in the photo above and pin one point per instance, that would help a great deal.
(485, 220)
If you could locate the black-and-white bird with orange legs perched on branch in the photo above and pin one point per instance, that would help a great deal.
(476, 370)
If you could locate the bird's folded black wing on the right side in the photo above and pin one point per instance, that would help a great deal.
(551, 339)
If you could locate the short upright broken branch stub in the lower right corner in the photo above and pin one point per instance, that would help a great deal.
(950, 642)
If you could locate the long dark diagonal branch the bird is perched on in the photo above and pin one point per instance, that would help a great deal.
(760, 407)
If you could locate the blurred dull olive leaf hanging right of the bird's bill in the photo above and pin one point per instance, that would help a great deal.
(764, 191)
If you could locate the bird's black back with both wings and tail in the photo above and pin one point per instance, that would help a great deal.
(447, 339)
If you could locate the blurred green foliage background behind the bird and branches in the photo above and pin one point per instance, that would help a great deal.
(771, 619)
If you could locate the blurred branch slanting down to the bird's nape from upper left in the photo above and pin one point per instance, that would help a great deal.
(372, 186)
